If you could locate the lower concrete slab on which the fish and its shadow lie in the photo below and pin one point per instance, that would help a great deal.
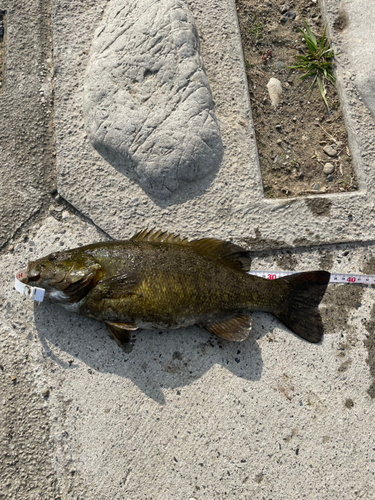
(185, 415)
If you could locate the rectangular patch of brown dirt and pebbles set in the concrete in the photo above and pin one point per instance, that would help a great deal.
(291, 137)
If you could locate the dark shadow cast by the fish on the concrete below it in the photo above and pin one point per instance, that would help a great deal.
(156, 359)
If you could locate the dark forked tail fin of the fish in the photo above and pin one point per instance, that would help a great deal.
(298, 309)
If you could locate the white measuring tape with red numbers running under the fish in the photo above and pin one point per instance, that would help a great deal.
(37, 294)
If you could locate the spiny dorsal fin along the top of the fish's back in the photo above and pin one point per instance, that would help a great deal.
(229, 253)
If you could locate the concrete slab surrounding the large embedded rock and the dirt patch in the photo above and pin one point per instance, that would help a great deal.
(230, 199)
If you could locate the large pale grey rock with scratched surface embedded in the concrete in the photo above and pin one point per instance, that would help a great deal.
(147, 105)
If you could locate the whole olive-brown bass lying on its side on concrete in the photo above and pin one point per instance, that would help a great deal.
(158, 279)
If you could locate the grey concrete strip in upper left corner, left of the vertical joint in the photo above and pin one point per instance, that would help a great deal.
(27, 164)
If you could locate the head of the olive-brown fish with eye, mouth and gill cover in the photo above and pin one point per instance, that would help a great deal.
(66, 276)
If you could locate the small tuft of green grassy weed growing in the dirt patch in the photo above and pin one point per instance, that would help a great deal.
(317, 61)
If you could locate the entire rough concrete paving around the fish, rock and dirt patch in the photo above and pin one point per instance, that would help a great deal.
(182, 415)
